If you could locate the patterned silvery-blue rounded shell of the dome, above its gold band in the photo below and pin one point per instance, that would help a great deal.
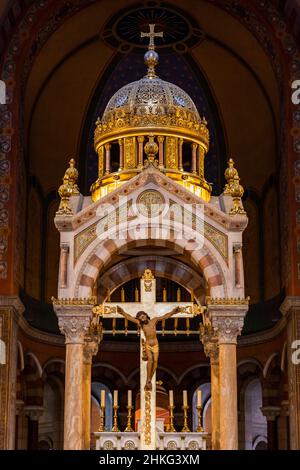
(150, 96)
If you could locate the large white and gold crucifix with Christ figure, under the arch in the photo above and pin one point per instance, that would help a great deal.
(154, 310)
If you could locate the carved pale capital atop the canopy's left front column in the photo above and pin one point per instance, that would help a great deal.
(74, 318)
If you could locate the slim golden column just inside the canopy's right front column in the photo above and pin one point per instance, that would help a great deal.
(211, 349)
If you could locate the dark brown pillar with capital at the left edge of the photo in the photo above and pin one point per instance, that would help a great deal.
(11, 309)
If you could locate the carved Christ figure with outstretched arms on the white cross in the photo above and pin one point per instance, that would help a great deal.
(150, 344)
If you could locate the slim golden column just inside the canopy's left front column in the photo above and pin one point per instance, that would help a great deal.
(90, 349)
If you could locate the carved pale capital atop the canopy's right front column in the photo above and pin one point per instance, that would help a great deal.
(227, 318)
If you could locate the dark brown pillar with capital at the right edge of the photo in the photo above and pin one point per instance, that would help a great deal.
(291, 309)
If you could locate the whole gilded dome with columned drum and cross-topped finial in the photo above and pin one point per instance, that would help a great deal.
(151, 108)
